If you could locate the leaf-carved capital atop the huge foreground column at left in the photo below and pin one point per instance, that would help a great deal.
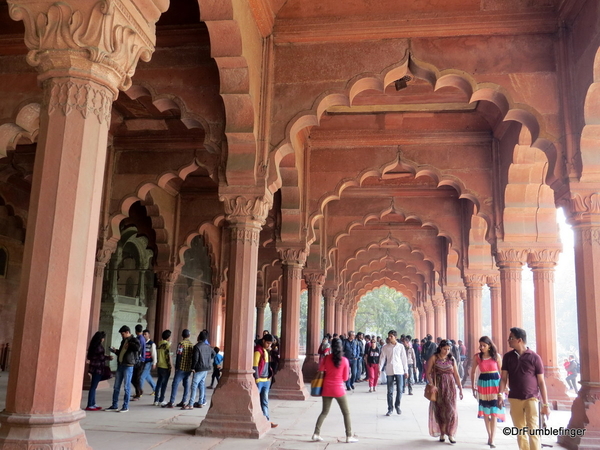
(100, 40)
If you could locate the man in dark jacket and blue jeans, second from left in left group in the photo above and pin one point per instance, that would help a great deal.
(127, 357)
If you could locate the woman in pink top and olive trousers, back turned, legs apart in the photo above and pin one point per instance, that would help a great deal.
(337, 369)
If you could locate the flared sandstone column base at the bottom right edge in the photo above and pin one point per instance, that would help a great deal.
(585, 413)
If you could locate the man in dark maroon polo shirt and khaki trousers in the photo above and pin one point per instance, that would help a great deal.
(523, 372)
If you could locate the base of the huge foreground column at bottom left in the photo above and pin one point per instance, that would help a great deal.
(61, 431)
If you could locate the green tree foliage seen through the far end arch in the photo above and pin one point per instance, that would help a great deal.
(382, 310)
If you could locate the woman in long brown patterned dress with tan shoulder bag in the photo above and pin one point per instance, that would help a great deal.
(443, 372)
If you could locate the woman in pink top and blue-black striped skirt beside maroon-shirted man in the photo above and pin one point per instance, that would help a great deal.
(488, 386)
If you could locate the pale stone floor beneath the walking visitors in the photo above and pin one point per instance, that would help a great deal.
(147, 427)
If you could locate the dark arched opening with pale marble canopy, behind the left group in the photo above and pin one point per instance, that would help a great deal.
(128, 288)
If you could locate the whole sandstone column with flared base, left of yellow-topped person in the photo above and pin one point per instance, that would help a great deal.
(235, 407)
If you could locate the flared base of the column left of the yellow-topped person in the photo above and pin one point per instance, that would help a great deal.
(235, 410)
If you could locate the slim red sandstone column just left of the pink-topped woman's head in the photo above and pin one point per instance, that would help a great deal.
(314, 281)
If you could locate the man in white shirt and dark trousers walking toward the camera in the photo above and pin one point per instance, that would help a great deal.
(393, 357)
